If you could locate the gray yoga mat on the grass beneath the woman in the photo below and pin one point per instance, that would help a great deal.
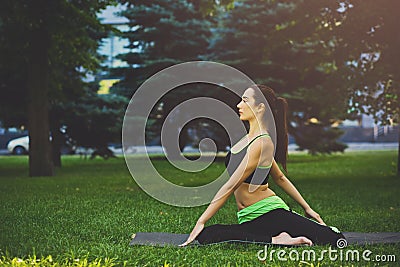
(170, 239)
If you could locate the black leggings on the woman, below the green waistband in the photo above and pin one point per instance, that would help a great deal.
(268, 225)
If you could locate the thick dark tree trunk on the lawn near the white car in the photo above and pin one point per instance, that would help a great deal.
(40, 163)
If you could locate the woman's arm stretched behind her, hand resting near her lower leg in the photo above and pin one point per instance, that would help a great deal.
(282, 181)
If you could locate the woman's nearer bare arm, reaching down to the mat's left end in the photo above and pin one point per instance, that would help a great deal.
(245, 168)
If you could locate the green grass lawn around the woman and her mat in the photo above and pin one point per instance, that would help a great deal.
(86, 214)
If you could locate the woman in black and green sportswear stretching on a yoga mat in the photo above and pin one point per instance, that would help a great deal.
(263, 216)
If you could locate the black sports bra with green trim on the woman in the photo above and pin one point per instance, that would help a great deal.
(258, 176)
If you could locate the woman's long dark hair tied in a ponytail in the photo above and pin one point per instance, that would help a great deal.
(279, 108)
